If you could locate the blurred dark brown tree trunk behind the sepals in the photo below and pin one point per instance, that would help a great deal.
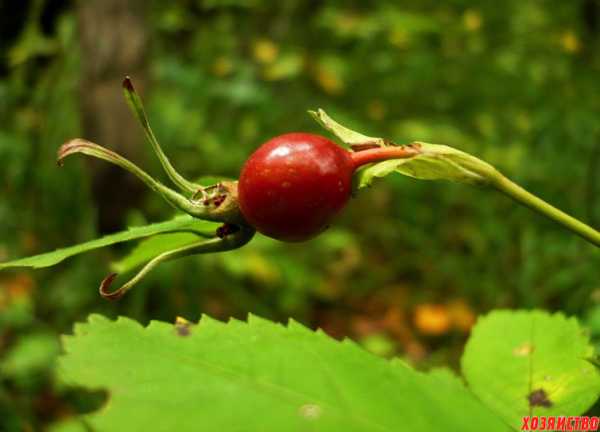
(113, 39)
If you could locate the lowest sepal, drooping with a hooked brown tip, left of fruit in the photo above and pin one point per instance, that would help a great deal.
(228, 237)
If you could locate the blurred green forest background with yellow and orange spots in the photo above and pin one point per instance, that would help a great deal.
(406, 269)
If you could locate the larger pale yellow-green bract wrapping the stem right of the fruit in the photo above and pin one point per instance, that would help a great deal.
(435, 162)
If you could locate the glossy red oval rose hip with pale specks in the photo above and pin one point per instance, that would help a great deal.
(294, 185)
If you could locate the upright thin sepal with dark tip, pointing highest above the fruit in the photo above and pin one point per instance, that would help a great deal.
(137, 107)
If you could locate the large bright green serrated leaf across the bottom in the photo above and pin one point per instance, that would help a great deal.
(256, 376)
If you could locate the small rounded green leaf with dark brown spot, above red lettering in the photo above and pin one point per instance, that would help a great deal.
(513, 358)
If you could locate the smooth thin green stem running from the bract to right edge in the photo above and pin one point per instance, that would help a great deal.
(520, 195)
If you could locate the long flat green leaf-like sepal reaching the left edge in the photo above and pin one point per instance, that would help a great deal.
(180, 223)
